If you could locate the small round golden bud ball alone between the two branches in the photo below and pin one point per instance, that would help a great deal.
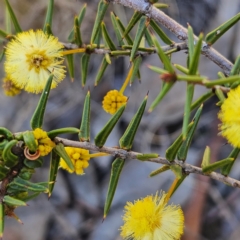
(113, 101)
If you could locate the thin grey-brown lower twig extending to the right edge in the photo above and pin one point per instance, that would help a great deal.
(115, 151)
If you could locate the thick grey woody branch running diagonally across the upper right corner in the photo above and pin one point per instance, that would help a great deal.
(178, 30)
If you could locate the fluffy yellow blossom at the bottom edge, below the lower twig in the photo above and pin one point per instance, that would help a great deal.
(151, 218)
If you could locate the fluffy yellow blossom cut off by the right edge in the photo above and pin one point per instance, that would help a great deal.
(229, 116)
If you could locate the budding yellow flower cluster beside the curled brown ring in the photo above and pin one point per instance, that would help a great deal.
(45, 144)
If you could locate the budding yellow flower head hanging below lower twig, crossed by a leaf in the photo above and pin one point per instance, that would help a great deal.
(79, 157)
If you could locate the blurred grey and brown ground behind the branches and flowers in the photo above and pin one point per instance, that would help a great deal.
(76, 207)
